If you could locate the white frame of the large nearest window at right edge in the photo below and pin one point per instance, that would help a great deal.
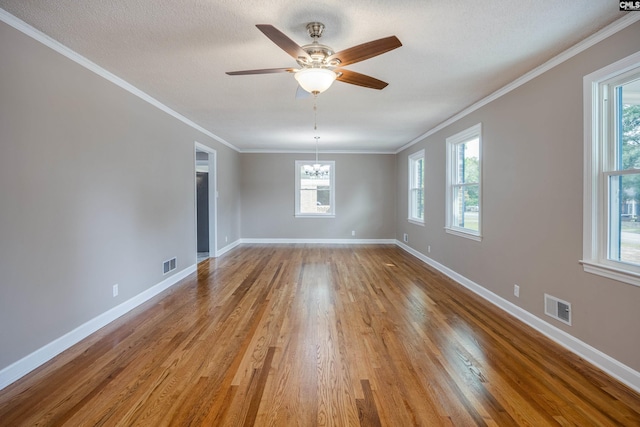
(595, 258)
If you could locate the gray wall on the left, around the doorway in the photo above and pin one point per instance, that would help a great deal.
(96, 188)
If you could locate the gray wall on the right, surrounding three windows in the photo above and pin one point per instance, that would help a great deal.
(532, 205)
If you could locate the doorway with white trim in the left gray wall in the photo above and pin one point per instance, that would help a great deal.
(205, 171)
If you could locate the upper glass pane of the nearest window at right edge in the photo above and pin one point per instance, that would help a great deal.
(628, 125)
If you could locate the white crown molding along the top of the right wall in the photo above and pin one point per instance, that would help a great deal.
(585, 44)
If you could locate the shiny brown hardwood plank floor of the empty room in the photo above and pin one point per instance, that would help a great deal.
(280, 335)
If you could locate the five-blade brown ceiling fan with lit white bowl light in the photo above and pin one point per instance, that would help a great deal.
(319, 64)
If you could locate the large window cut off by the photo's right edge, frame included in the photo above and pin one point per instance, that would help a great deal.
(611, 238)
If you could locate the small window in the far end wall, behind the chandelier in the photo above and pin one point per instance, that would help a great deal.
(315, 194)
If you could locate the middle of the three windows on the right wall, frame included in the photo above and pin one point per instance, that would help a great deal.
(464, 172)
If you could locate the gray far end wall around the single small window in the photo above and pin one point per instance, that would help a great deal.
(364, 185)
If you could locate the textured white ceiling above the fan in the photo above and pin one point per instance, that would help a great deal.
(454, 53)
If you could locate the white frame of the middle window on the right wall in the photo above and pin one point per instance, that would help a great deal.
(452, 142)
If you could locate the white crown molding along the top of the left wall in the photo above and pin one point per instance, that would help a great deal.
(63, 50)
